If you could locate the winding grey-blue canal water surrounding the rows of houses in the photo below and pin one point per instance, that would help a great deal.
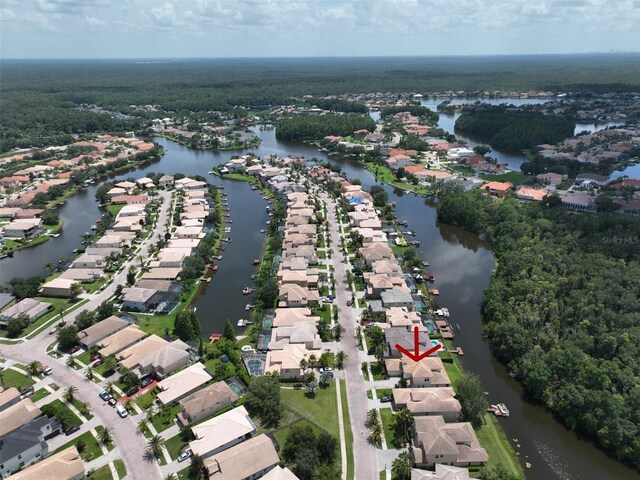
(462, 264)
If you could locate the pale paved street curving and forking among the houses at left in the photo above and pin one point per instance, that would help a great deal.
(124, 431)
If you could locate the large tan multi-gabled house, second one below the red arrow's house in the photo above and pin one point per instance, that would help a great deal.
(435, 441)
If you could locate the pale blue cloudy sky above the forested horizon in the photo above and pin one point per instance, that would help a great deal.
(268, 28)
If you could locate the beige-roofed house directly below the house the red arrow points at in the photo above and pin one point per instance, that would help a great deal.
(428, 401)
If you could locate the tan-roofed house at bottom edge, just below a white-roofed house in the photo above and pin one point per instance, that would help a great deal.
(247, 460)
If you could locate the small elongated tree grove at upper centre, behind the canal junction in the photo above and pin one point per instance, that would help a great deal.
(311, 127)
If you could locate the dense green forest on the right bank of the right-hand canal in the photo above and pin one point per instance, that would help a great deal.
(563, 310)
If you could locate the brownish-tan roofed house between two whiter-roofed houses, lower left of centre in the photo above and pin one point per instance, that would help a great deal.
(205, 402)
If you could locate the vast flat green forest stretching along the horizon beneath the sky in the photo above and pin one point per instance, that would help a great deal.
(38, 98)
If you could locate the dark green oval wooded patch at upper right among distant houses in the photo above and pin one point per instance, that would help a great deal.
(513, 130)
